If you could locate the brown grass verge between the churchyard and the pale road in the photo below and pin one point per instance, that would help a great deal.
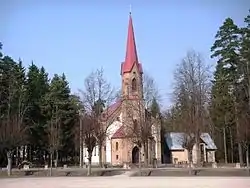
(167, 172)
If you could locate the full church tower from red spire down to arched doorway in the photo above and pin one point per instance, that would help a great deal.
(132, 94)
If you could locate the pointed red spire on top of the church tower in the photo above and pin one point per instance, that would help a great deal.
(131, 58)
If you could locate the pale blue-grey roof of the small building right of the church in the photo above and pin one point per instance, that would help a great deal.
(175, 140)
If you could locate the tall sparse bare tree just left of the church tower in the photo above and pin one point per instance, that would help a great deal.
(97, 95)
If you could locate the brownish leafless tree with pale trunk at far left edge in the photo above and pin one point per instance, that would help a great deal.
(12, 128)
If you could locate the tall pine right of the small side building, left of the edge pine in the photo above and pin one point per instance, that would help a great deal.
(226, 50)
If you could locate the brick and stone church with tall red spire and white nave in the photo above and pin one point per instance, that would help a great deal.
(118, 149)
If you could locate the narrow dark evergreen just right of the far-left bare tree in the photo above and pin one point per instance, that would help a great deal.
(36, 88)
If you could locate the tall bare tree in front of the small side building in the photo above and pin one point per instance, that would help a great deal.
(191, 93)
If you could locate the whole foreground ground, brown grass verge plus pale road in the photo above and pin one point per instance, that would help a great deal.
(161, 177)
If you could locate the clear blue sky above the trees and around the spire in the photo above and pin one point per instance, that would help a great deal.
(78, 36)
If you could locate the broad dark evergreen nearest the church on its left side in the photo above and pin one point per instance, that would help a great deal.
(60, 113)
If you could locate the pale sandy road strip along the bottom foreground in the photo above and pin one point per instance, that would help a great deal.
(125, 182)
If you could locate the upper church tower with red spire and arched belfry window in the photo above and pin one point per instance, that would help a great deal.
(131, 69)
